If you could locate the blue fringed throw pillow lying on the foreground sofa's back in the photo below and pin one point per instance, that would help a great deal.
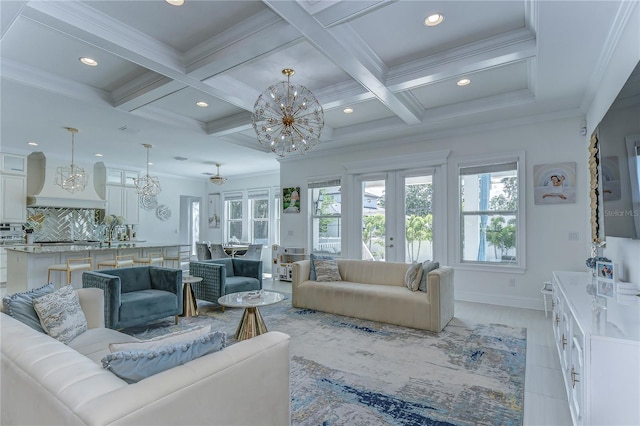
(133, 366)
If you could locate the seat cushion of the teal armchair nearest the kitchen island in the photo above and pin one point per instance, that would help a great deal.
(137, 305)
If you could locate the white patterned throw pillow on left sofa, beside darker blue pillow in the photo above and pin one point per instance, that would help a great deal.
(60, 314)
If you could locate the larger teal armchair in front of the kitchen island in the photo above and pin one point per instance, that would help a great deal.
(137, 295)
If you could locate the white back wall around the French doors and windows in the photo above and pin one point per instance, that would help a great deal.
(548, 246)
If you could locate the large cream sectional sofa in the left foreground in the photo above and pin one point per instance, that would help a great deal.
(45, 382)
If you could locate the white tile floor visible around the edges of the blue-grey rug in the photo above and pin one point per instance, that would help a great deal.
(545, 400)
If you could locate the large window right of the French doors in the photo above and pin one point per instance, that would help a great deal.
(490, 214)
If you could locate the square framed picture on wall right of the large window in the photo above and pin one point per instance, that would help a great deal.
(555, 183)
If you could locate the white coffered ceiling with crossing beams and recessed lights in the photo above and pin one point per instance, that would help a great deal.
(525, 59)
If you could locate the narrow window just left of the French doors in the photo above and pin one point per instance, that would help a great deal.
(326, 217)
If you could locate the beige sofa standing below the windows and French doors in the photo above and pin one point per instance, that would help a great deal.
(376, 291)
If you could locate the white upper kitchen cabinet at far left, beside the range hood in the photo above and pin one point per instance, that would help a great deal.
(13, 188)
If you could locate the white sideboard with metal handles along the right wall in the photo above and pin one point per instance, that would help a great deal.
(598, 342)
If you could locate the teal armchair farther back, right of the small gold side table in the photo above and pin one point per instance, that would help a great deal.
(224, 276)
